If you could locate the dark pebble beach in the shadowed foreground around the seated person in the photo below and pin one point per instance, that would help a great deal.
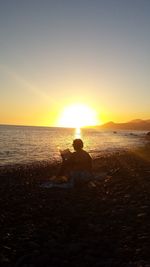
(103, 223)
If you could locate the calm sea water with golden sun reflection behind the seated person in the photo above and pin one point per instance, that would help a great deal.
(22, 144)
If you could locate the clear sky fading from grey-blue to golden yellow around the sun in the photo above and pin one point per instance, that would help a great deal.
(56, 53)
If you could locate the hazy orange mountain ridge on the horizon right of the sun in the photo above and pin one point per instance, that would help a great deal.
(137, 124)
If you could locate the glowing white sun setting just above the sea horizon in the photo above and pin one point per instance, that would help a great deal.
(78, 115)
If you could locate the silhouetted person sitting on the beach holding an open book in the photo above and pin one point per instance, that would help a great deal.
(76, 165)
